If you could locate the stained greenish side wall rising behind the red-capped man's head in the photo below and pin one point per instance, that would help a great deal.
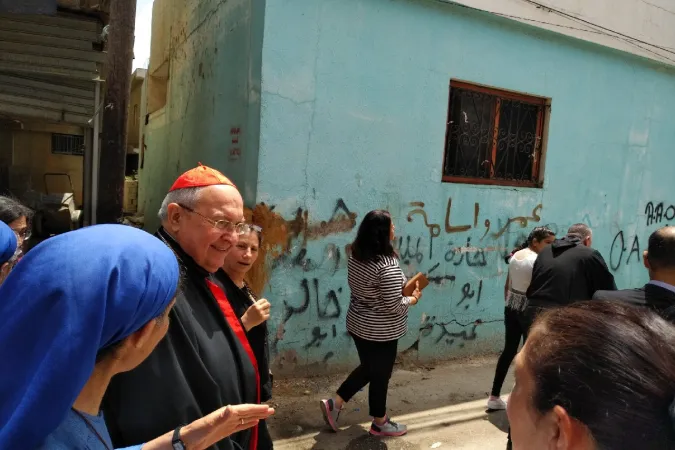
(205, 62)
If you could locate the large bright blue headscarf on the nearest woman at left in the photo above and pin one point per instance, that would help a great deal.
(68, 298)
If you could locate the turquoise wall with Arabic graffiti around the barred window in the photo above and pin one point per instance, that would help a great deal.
(354, 105)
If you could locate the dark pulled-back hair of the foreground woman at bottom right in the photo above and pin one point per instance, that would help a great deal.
(611, 366)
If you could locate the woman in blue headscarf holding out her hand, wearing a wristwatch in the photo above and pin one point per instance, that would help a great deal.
(76, 310)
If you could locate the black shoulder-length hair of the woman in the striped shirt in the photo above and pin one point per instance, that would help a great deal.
(374, 237)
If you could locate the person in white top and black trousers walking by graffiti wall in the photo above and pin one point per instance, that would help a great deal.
(518, 280)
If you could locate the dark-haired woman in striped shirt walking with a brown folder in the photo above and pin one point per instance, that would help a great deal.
(376, 320)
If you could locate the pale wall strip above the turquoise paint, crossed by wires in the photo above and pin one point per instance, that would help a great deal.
(619, 24)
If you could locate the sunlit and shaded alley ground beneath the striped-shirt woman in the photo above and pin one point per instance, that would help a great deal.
(444, 408)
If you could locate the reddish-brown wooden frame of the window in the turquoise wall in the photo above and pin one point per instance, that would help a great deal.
(542, 118)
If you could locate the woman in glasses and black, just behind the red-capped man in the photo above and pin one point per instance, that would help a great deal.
(252, 311)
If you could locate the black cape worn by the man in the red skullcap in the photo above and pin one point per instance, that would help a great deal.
(200, 366)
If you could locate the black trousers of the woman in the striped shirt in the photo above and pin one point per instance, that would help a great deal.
(377, 364)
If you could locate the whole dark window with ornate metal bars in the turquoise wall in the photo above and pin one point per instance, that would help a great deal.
(493, 136)
